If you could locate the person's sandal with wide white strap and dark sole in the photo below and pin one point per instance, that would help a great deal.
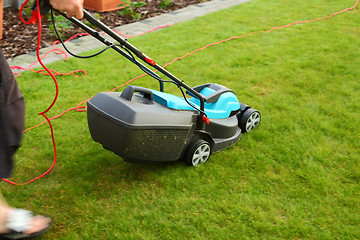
(19, 221)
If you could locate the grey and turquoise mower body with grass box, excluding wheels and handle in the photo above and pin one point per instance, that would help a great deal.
(140, 124)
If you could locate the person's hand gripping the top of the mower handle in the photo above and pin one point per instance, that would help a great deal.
(72, 8)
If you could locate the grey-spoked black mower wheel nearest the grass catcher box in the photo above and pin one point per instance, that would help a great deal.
(198, 153)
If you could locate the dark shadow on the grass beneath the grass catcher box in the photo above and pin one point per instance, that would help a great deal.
(104, 166)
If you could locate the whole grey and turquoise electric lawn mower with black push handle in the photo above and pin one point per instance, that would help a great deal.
(146, 125)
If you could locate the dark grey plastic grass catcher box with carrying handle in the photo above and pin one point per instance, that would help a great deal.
(137, 128)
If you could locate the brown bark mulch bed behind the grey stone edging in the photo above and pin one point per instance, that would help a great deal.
(19, 38)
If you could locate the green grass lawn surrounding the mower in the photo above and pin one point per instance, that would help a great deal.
(295, 177)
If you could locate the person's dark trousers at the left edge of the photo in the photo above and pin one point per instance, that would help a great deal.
(12, 110)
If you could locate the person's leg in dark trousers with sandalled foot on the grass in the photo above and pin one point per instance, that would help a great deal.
(12, 111)
